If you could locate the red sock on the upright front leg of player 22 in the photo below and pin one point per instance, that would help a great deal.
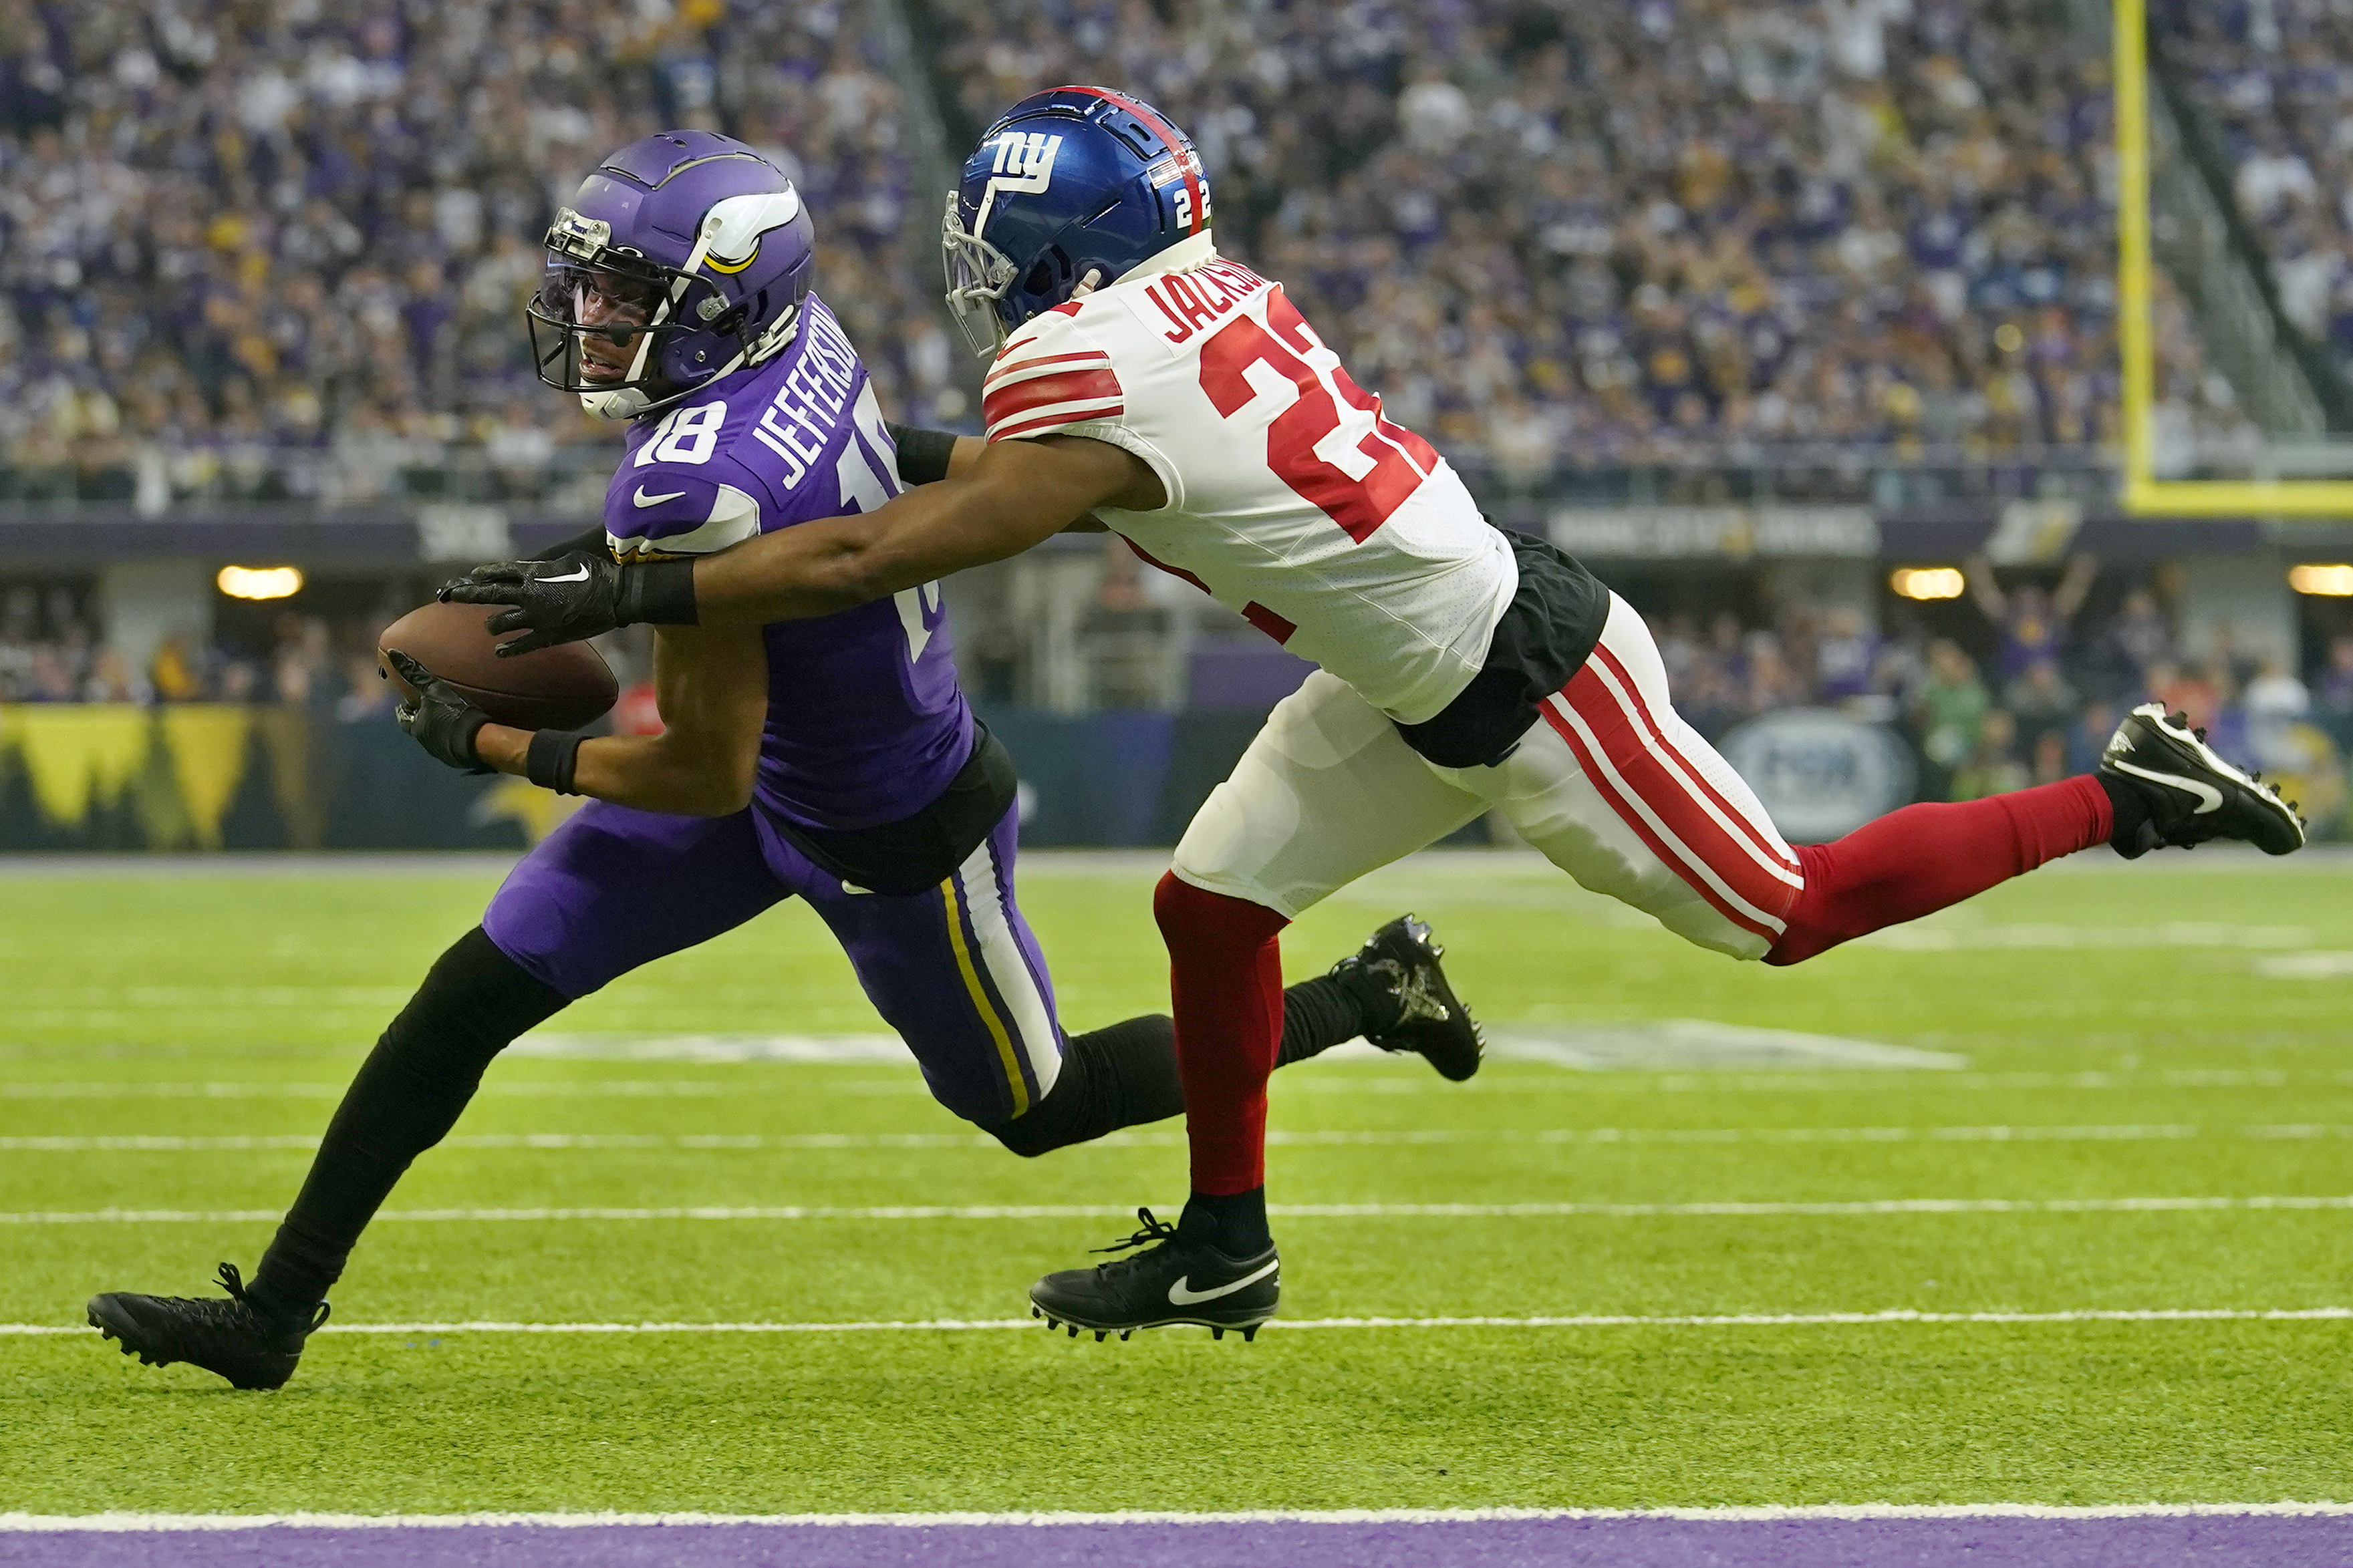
(1227, 993)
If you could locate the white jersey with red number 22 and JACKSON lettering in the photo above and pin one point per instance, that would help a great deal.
(1291, 500)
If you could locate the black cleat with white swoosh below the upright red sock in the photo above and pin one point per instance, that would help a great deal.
(1180, 1280)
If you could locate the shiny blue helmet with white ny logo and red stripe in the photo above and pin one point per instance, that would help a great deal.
(1069, 192)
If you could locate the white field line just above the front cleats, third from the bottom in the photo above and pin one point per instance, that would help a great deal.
(1281, 1212)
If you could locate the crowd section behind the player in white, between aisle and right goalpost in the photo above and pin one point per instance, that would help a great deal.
(1646, 232)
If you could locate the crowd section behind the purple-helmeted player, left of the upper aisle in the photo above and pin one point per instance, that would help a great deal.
(260, 250)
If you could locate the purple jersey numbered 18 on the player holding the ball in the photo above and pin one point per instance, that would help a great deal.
(865, 718)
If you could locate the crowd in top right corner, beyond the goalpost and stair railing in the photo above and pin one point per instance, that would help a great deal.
(2272, 79)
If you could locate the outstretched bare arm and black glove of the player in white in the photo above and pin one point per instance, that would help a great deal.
(1011, 500)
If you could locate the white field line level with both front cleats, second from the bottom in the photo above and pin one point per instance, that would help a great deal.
(1604, 1320)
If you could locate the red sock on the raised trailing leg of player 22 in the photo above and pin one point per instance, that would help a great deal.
(1924, 859)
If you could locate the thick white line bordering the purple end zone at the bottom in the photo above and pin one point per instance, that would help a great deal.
(1728, 1515)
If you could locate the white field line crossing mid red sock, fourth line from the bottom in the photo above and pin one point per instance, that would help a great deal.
(2166, 1132)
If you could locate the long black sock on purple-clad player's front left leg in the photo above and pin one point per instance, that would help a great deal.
(404, 1101)
